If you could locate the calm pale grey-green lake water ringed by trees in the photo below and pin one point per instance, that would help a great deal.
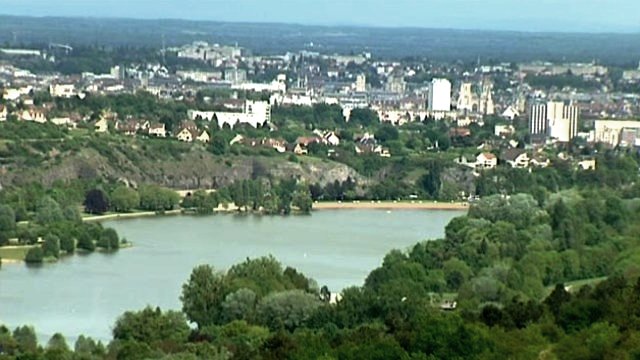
(85, 294)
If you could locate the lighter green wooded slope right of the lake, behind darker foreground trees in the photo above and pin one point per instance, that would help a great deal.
(513, 246)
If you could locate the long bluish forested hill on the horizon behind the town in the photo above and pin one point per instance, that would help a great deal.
(437, 44)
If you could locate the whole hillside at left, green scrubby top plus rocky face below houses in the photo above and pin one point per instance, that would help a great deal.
(162, 162)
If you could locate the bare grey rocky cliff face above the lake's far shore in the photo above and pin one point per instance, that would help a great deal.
(190, 170)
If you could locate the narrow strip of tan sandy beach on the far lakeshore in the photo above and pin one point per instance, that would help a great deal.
(391, 205)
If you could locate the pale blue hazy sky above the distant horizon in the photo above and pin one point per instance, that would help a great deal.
(526, 15)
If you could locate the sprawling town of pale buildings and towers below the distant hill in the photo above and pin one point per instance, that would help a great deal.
(398, 91)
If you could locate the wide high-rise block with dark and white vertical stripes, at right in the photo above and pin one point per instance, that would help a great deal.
(556, 119)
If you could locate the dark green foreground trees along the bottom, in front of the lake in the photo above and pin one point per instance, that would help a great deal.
(258, 310)
